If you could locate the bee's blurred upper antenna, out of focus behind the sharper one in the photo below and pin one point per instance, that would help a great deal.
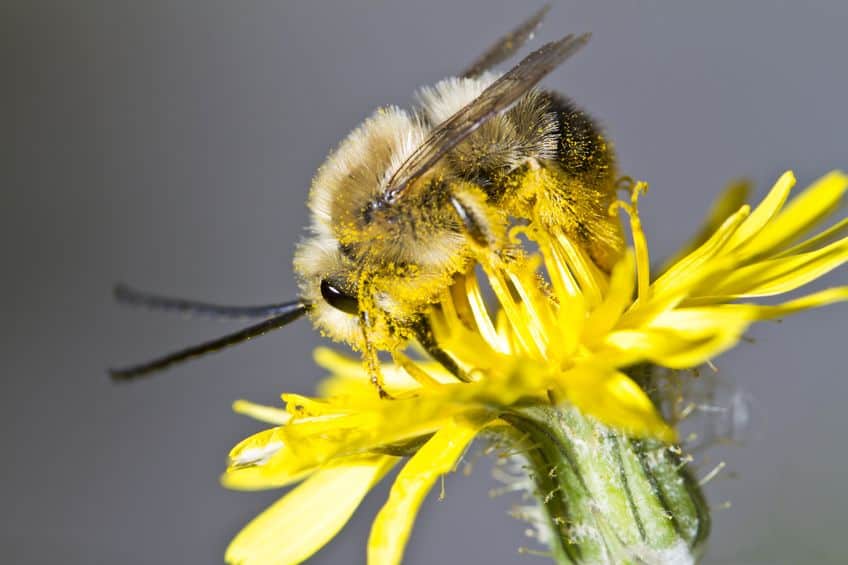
(126, 295)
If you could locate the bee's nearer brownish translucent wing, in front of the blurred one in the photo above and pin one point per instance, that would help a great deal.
(497, 98)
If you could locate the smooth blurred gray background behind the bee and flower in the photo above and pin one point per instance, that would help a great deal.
(171, 145)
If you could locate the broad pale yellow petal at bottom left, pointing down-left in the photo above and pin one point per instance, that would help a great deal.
(308, 516)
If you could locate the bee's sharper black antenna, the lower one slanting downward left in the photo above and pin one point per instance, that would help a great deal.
(287, 313)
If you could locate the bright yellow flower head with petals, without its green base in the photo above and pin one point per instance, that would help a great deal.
(563, 332)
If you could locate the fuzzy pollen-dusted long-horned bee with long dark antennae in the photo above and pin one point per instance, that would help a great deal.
(413, 198)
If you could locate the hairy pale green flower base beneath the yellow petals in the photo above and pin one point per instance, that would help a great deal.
(607, 498)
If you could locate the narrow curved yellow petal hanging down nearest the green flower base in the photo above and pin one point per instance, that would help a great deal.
(393, 524)
